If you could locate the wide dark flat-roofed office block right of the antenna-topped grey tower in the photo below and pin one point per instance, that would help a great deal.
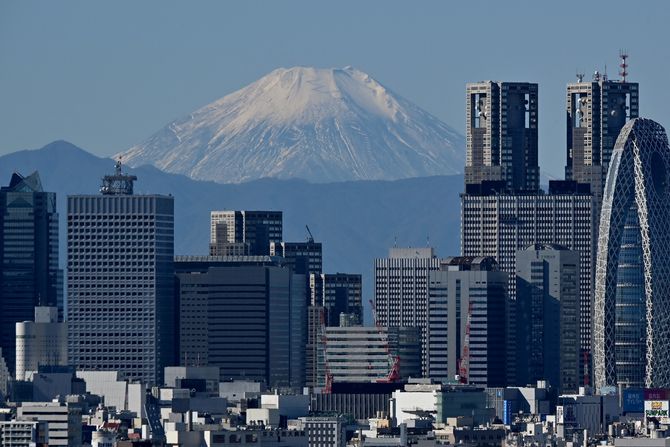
(245, 315)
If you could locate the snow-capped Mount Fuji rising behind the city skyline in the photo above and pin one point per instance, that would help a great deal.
(320, 125)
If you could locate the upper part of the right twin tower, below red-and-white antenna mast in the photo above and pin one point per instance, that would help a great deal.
(596, 112)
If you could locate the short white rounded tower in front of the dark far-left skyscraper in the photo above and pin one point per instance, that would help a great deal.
(40, 342)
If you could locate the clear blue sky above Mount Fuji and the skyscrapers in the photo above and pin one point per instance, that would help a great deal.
(107, 75)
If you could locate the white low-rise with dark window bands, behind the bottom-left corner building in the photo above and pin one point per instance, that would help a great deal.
(63, 419)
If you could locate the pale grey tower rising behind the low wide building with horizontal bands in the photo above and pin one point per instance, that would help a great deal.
(401, 290)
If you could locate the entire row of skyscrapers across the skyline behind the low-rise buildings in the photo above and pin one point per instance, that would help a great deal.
(566, 282)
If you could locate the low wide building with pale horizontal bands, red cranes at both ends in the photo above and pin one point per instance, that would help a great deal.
(369, 354)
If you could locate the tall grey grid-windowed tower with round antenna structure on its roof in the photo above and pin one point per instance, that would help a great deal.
(120, 280)
